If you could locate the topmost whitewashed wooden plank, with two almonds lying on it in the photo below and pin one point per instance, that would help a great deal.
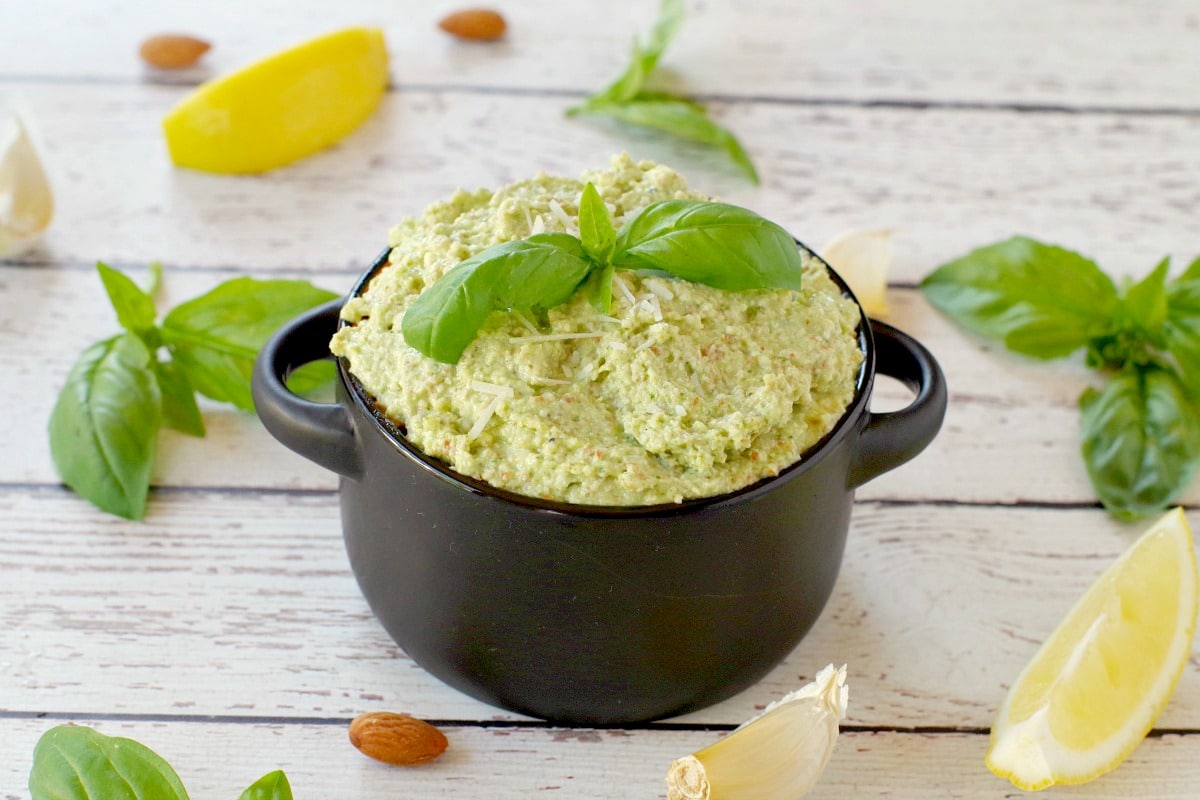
(1071, 52)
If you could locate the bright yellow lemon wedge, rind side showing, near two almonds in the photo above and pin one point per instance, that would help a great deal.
(283, 109)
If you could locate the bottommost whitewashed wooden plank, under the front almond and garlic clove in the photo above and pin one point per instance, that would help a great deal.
(219, 760)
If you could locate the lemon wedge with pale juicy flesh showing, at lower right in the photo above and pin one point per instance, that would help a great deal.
(1096, 687)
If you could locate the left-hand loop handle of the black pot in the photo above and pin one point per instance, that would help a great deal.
(321, 432)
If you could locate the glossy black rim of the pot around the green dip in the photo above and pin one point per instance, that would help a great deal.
(807, 461)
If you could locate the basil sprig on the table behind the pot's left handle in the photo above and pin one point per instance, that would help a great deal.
(122, 392)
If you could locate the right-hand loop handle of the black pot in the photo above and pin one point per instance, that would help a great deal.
(892, 438)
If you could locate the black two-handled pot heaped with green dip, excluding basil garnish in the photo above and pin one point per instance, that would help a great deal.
(598, 518)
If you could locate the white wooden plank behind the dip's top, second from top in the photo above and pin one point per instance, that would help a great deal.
(1120, 189)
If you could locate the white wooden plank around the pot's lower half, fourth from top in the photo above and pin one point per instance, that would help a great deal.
(236, 604)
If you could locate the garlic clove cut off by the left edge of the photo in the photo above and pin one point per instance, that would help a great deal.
(27, 203)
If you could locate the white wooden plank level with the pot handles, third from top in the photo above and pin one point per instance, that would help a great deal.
(1005, 411)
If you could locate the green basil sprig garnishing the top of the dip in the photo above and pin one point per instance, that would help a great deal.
(716, 244)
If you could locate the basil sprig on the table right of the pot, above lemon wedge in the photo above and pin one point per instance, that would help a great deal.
(1141, 430)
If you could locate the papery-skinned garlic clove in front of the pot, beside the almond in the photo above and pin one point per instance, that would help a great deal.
(778, 755)
